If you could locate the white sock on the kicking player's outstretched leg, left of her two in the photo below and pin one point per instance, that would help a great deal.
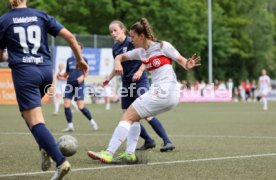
(118, 137)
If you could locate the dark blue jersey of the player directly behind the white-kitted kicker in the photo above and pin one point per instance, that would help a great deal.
(129, 67)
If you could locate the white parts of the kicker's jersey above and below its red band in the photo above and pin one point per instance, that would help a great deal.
(164, 73)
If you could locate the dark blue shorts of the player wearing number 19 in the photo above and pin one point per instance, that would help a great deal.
(30, 84)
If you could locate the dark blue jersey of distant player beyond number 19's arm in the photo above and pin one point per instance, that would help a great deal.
(73, 72)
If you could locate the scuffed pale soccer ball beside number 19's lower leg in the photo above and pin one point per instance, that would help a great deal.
(68, 145)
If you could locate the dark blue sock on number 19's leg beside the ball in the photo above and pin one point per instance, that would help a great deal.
(47, 142)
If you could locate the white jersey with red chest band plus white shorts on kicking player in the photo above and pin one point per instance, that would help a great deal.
(164, 92)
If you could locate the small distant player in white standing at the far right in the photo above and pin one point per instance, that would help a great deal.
(264, 86)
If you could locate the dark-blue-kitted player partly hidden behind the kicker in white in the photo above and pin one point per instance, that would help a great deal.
(135, 83)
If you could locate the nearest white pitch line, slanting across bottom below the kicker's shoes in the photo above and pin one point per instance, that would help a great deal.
(149, 164)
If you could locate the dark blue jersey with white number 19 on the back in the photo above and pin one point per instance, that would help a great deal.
(24, 32)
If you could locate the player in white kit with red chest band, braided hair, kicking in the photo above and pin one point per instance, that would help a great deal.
(163, 95)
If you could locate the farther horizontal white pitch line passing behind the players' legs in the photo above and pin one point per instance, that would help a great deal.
(171, 135)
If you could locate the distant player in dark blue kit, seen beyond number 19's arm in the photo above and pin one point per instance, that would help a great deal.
(75, 88)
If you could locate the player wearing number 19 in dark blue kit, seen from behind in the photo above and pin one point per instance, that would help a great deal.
(23, 31)
